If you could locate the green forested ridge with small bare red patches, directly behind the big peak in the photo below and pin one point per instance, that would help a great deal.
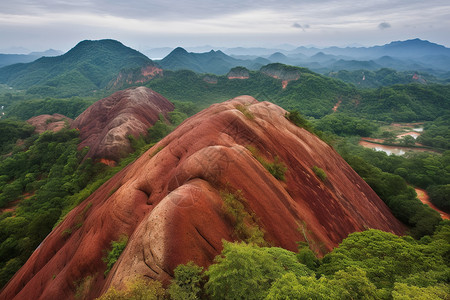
(313, 94)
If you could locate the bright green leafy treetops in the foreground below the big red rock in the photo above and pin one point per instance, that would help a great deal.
(366, 265)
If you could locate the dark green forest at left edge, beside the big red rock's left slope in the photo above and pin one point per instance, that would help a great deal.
(43, 177)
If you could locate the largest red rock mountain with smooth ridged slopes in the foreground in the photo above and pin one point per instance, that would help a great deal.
(169, 204)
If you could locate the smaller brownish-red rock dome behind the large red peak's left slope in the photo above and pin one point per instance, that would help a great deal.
(105, 125)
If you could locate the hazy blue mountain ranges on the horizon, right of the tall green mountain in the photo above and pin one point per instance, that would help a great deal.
(410, 55)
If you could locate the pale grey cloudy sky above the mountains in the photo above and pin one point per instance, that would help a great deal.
(143, 24)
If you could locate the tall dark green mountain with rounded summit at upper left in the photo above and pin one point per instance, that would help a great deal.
(89, 66)
